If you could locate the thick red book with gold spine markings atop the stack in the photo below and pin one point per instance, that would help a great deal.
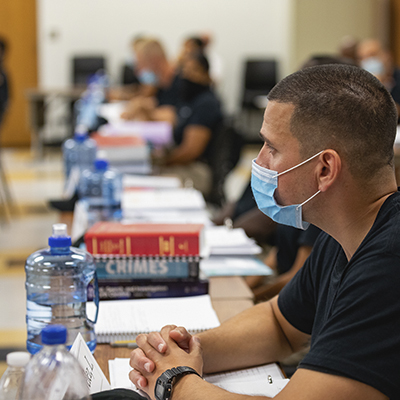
(145, 239)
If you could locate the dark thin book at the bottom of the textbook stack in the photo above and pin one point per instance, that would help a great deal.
(123, 289)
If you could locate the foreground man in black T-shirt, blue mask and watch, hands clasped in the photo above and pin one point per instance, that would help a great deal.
(327, 159)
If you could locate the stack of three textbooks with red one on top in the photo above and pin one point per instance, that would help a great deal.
(139, 261)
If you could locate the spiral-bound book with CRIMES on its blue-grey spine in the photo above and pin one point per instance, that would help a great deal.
(147, 267)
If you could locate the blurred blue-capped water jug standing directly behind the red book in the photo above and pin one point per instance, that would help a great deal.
(101, 188)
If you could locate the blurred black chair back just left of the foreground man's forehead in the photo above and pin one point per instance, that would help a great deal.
(260, 76)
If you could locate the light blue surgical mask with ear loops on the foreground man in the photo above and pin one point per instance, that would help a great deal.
(264, 183)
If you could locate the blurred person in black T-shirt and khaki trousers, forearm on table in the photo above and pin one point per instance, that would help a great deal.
(197, 121)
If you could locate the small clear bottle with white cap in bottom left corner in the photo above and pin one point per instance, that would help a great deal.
(11, 381)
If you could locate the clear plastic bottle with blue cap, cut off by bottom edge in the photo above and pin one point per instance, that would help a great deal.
(54, 373)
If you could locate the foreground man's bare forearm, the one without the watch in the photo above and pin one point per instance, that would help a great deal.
(251, 338)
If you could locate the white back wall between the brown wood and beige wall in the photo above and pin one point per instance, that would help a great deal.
(240, 28)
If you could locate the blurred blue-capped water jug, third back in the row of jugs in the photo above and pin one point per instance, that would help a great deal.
(79, 152)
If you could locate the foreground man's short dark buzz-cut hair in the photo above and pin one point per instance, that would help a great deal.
(344, 108)
